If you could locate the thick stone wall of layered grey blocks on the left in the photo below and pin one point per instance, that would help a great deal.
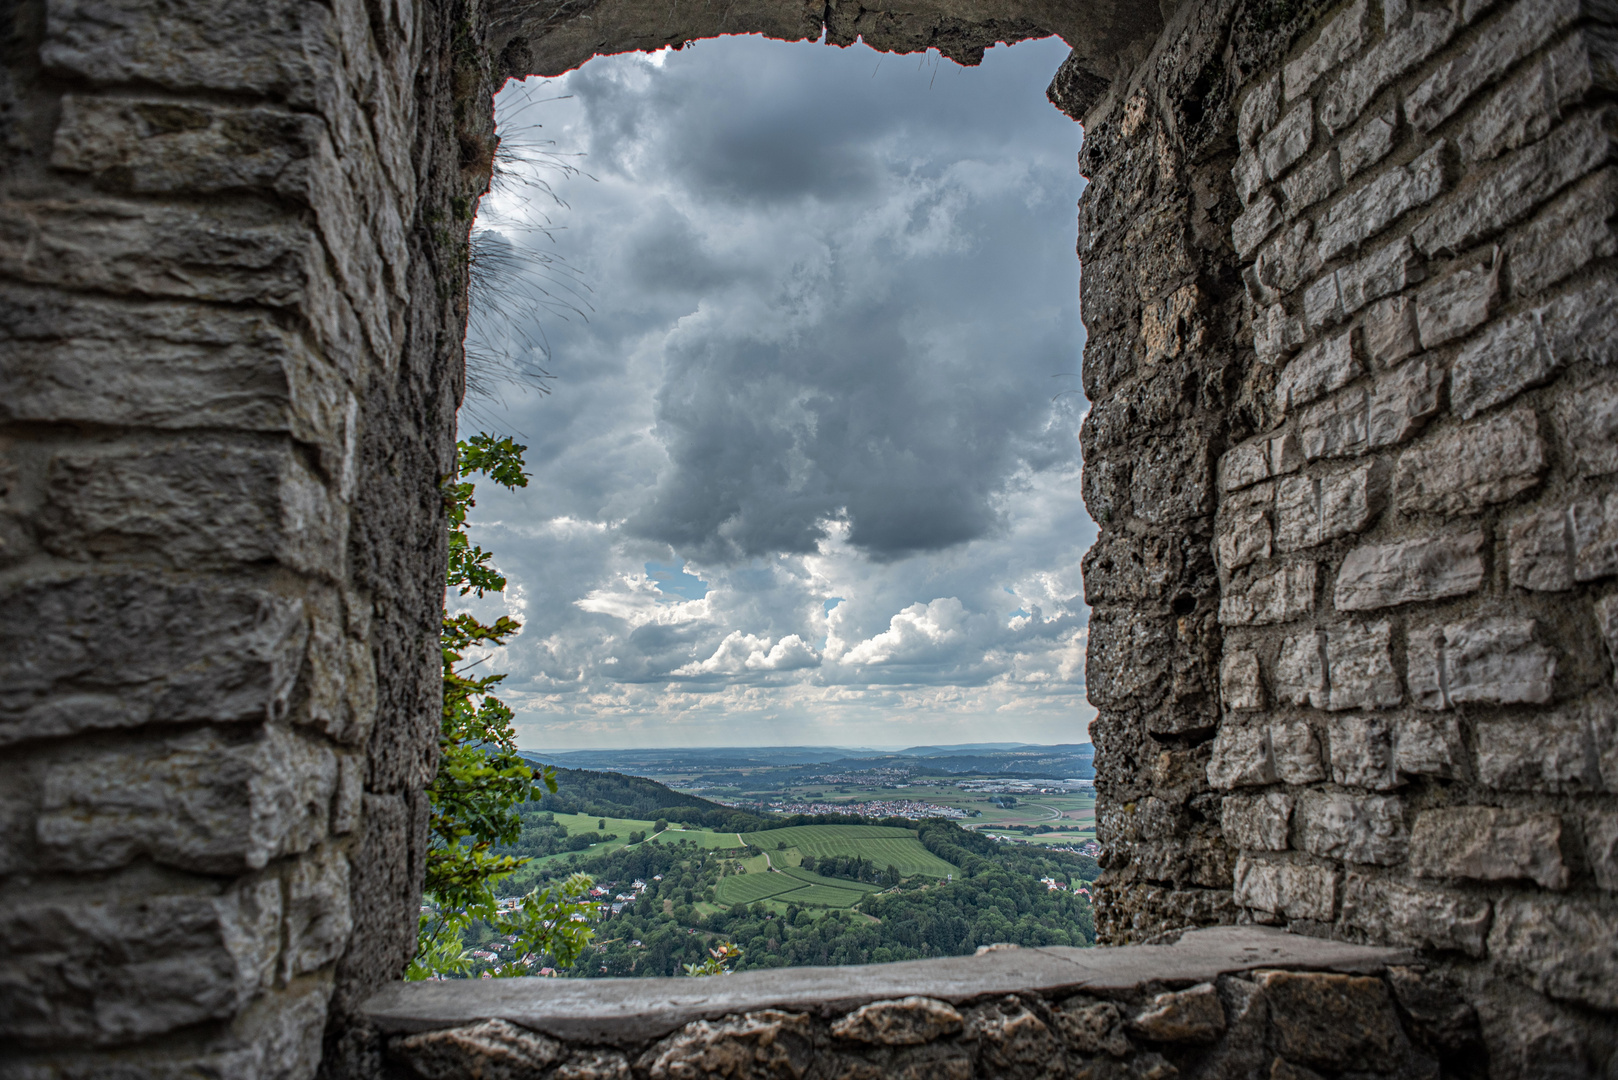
(232, 276)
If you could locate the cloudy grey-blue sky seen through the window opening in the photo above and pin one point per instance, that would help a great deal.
(808, 472)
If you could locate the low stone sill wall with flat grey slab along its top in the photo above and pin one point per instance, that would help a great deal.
(1219, 1005)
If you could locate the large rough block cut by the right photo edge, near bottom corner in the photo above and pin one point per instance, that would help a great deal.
(1569, 948)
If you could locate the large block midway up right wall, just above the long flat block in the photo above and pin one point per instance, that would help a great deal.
(1472, 467)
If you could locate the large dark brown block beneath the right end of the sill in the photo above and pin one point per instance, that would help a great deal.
(1332, 1021)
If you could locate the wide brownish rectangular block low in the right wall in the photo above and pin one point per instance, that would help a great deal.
(1489, 844)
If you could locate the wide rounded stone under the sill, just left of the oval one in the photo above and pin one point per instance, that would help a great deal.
(766, 1044)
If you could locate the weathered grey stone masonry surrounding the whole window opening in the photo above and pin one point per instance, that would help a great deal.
(1349, 279)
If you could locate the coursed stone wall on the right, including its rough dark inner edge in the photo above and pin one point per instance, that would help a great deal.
(1350, 292)
